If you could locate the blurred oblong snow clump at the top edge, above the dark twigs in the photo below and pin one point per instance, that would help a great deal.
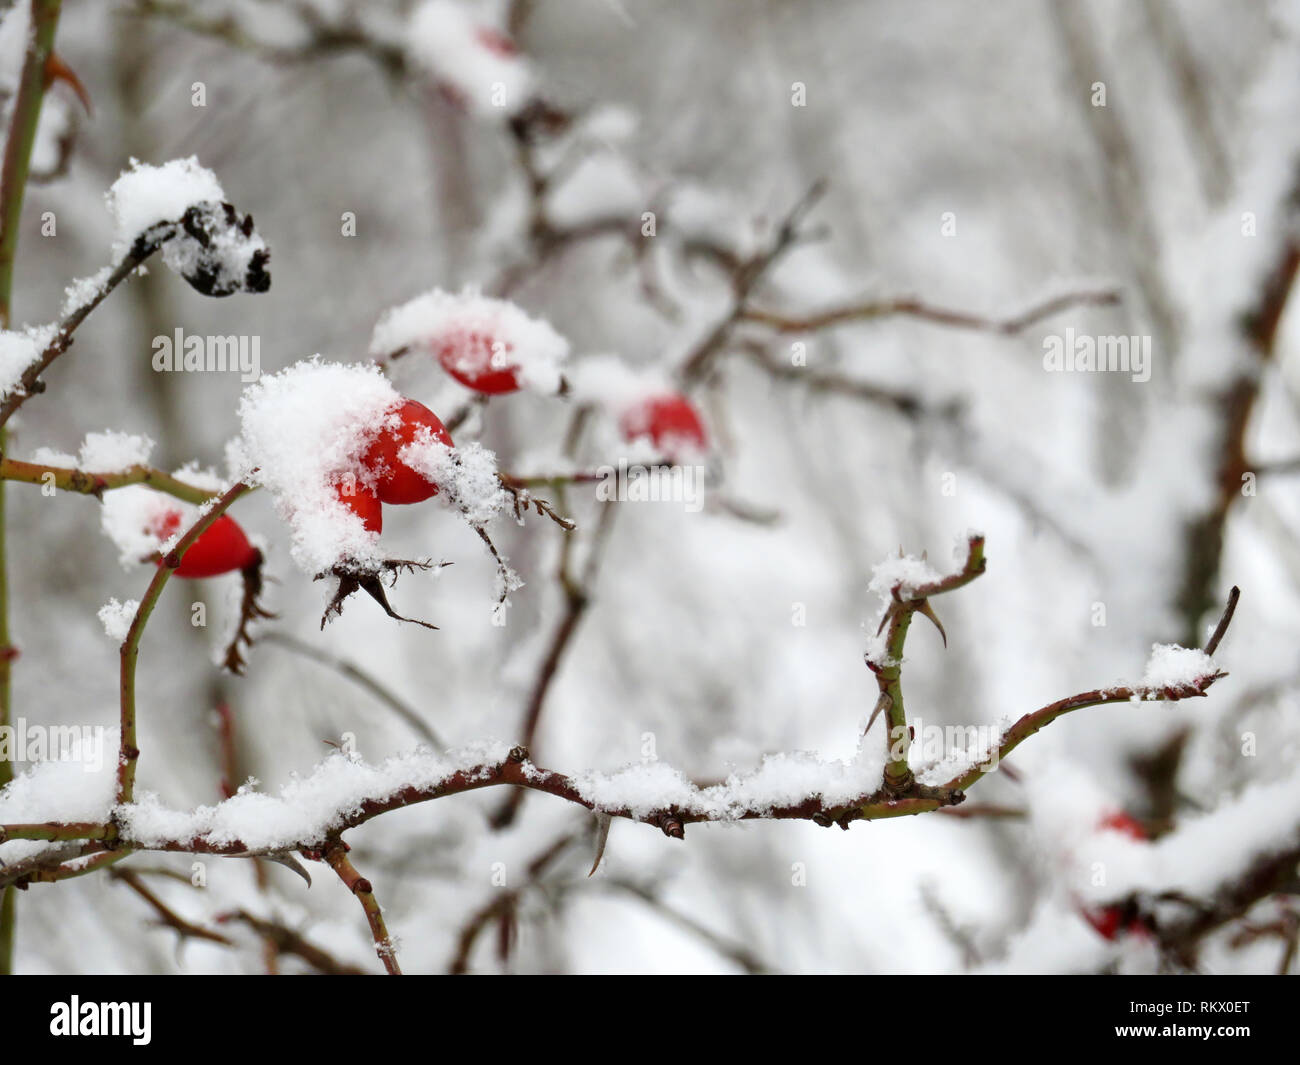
(470, 59)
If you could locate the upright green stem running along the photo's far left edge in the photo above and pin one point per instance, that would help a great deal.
(14, 184)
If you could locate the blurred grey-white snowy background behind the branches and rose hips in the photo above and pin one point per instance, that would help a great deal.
(1084, 484)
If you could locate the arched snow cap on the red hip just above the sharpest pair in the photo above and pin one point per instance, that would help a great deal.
(437, 322)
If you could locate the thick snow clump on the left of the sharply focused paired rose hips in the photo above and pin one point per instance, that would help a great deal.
(302, 435)
